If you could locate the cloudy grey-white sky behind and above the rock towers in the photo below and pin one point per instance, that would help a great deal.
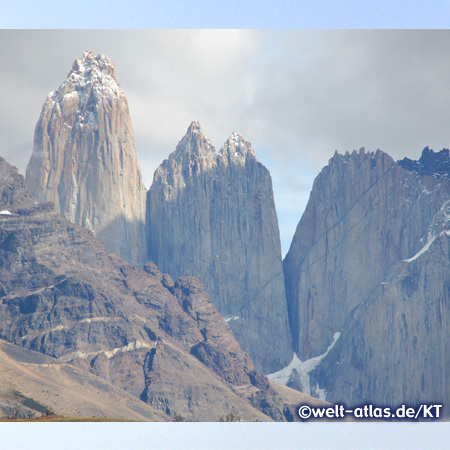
(296, 95)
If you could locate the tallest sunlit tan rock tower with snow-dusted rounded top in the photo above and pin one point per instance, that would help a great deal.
(84, 159)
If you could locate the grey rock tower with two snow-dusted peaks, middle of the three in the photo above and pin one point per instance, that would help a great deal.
(211, 214)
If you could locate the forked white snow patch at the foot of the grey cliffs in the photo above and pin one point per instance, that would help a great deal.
(303, 369)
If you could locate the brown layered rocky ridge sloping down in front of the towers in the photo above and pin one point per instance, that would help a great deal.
(63, 295)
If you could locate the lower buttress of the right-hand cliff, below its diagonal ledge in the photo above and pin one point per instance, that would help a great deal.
(393, 348)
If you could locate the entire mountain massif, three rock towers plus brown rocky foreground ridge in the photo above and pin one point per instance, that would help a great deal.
(198, 304)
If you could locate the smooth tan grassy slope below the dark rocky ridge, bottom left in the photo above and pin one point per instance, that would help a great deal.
(64, 388)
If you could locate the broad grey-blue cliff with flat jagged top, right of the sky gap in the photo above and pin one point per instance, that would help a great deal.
(369, 259)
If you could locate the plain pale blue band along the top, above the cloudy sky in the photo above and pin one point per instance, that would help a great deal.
(275, 14)
